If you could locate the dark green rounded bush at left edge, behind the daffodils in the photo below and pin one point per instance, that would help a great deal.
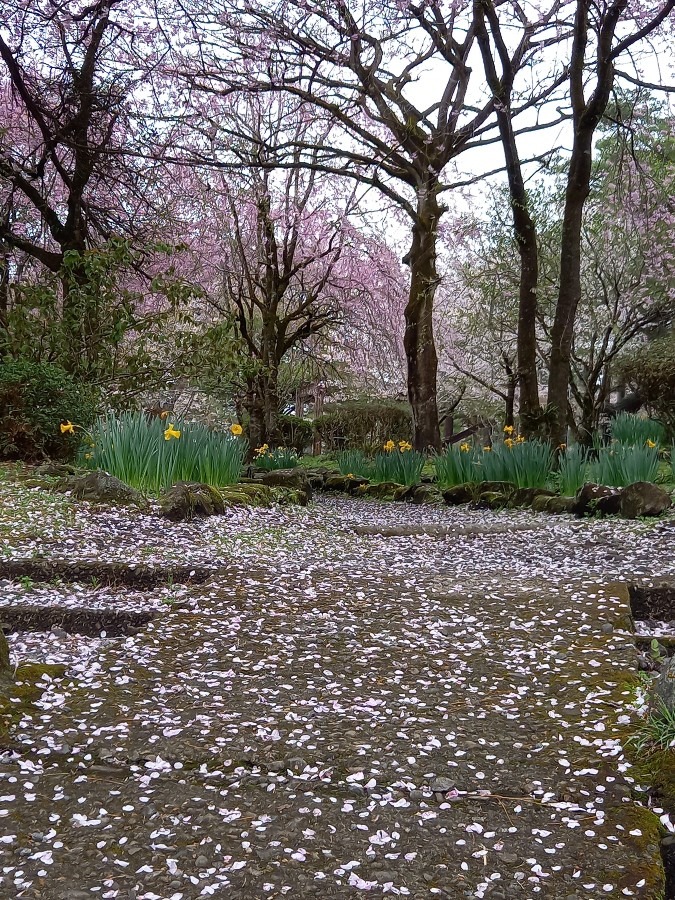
(35, 399)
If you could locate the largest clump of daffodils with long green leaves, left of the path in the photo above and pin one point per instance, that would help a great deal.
(153, 454)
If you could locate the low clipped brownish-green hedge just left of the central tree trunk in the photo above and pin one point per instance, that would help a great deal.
(364, 425)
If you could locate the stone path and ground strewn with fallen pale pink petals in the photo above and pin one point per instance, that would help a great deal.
(360, 698)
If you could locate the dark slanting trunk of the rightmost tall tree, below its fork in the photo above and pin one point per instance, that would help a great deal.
(569, 292)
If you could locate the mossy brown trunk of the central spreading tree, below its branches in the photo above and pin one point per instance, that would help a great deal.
(419, 333)
